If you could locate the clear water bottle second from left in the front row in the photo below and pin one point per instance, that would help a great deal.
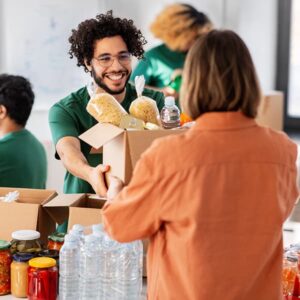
(90, 269)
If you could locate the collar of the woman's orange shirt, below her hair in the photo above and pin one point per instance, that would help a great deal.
(224, 121)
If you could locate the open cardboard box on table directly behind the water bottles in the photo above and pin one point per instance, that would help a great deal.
(81, 209)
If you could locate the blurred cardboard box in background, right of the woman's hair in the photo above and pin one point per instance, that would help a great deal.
(271, 110)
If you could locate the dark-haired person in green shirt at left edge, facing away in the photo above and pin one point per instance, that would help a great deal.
(23, 162)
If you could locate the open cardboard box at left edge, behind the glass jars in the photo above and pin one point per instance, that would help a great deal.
(26, 213)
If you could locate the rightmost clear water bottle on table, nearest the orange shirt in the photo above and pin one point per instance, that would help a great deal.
(130, 271)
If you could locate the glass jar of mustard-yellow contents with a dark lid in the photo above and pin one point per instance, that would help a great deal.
(18, 274)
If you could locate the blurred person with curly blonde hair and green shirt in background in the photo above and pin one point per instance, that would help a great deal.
(178, 26)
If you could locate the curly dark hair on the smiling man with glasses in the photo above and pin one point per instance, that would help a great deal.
(83, 38)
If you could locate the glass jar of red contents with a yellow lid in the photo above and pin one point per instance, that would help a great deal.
(42, 279)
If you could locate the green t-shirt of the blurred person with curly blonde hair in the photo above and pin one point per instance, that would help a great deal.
(158, 66)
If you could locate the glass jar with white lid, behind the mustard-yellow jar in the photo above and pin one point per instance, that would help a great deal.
(25, 241)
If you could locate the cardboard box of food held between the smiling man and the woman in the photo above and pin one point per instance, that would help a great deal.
(122, 148)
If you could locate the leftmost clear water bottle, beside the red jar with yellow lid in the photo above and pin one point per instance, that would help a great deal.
(69, 269)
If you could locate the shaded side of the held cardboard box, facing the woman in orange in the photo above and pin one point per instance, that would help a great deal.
(139, 141)
